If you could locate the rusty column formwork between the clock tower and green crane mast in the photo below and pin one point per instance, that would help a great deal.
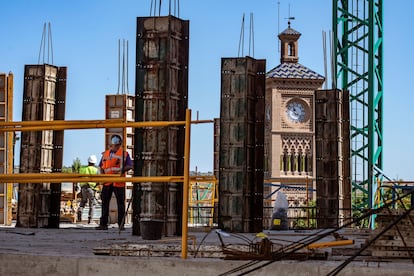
(333, 186)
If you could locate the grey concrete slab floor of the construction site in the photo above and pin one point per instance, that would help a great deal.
(70, 251)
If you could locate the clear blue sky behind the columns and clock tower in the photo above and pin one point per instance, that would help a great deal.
(85, 36)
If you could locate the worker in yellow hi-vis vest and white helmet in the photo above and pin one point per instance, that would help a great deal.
(88, 188)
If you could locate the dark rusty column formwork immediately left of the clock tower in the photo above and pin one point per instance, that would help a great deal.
(241, 144)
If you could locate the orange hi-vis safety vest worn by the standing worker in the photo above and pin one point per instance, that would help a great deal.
(112, 165)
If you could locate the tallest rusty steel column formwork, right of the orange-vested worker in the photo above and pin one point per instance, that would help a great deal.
(161, 95)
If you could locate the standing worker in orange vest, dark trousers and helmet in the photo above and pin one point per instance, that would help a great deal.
(114, 161)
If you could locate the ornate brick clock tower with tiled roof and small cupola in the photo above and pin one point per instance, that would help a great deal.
(290, 122)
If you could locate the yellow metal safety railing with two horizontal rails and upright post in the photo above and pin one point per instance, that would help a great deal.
(89, 124)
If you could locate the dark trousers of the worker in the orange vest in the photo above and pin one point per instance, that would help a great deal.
(106, 195)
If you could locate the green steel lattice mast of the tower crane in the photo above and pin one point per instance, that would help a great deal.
(358, 45)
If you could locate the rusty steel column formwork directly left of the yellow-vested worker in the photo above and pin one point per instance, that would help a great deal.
(44, 96)
